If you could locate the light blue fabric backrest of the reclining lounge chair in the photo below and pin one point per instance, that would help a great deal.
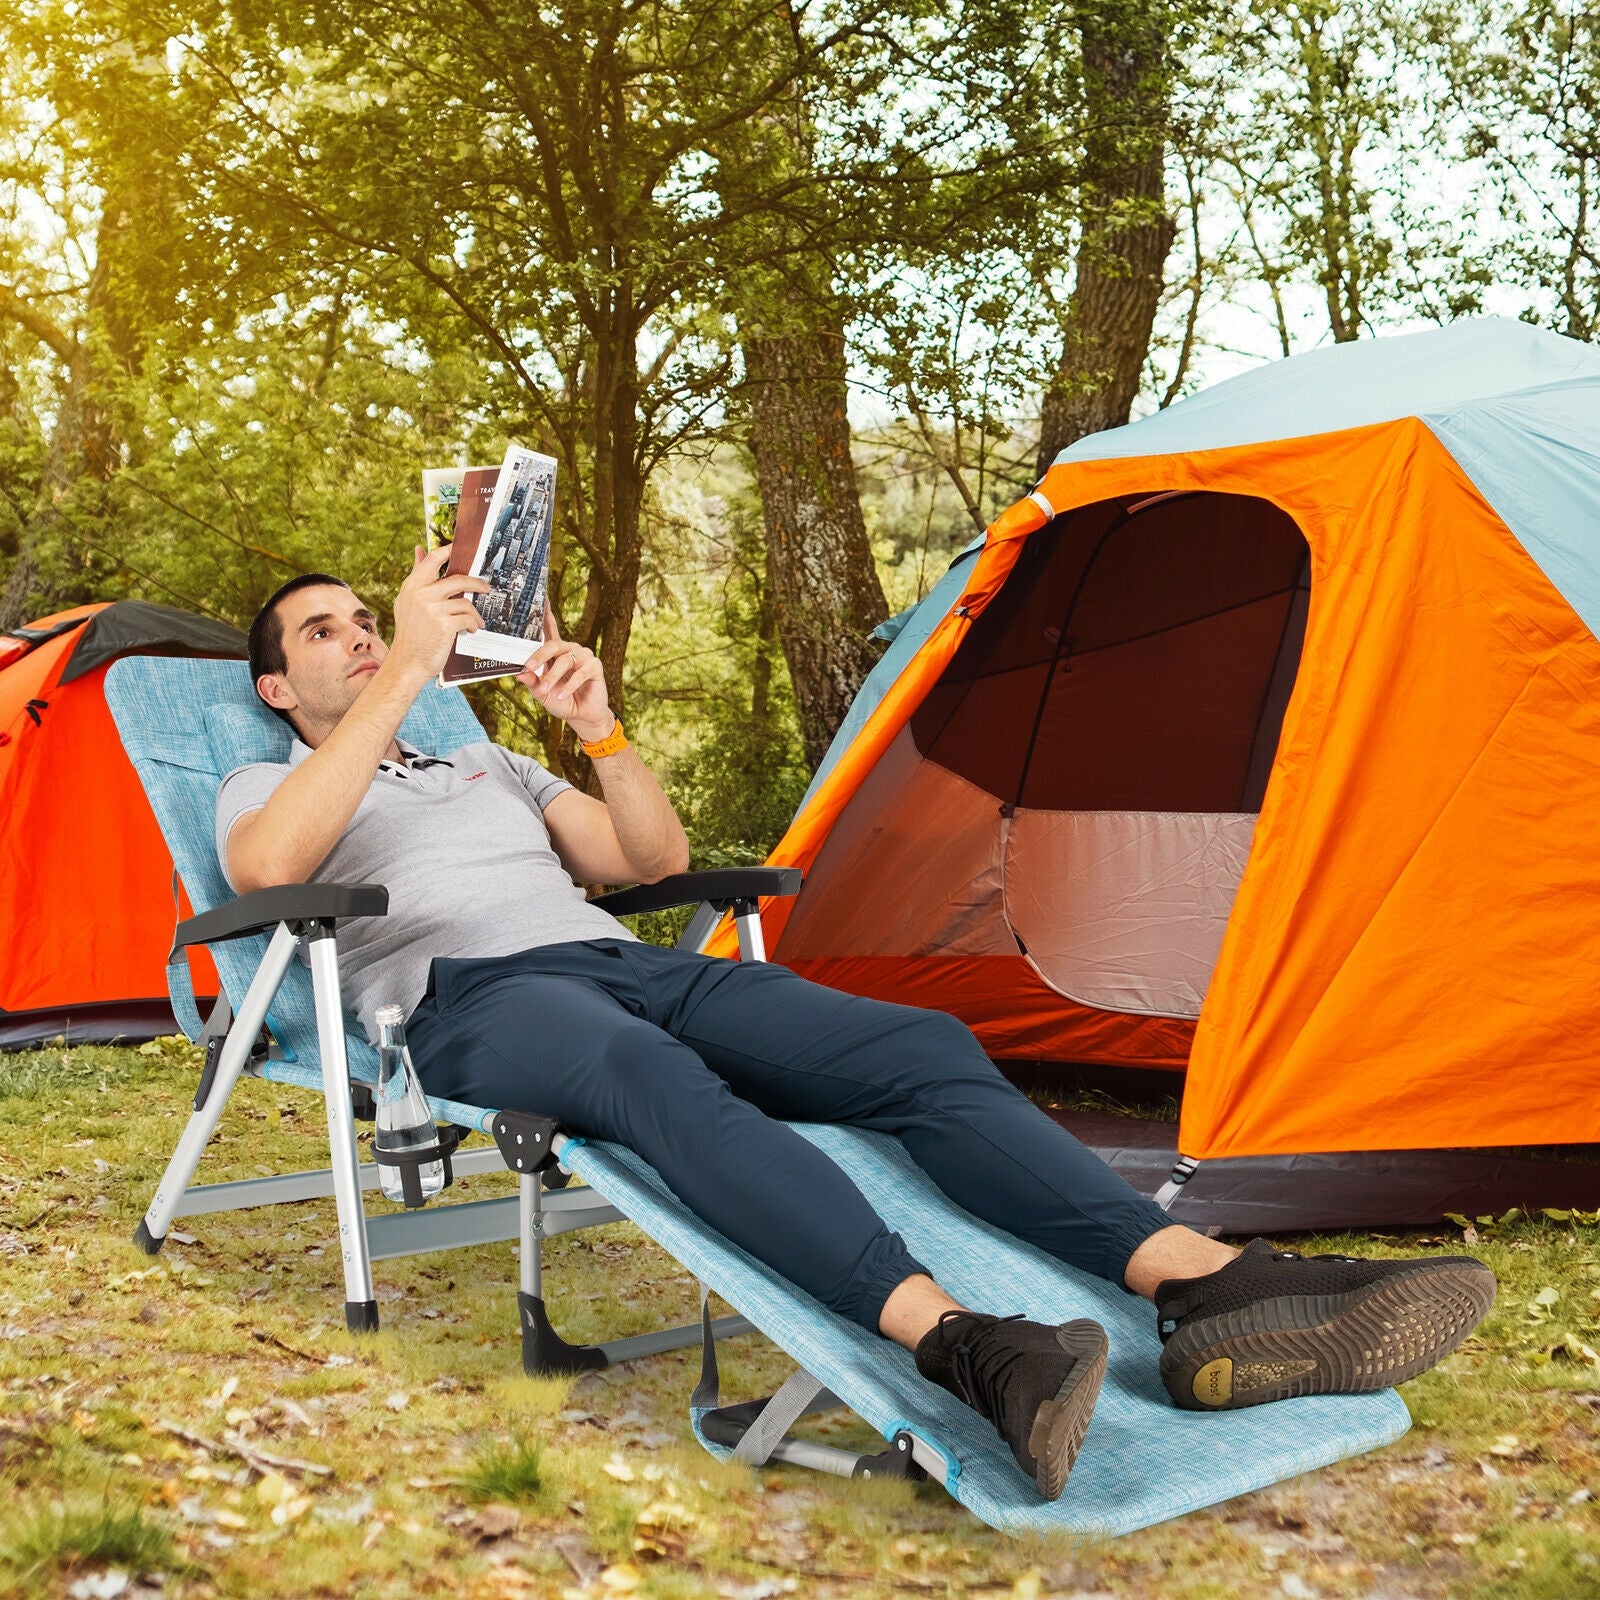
(186, 726)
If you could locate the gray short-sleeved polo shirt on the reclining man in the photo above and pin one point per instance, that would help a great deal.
(465, 854)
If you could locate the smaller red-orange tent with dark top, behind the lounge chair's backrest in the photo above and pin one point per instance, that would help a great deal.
(86, 878)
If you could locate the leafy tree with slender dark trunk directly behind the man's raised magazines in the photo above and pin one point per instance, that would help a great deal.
(530, 186)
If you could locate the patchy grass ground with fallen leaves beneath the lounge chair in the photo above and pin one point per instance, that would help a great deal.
(135, 1393)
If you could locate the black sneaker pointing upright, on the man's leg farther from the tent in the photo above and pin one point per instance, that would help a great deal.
(1036, 1385)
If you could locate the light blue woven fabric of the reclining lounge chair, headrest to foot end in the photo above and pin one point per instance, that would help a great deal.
(186, 724)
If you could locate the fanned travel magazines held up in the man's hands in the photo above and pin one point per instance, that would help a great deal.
(500, 522)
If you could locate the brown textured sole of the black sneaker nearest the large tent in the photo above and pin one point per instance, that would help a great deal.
(1313, 1345)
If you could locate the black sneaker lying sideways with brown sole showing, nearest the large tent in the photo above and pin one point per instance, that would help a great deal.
(1274, 1324)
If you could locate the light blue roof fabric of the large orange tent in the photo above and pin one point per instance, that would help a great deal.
(1516, 407)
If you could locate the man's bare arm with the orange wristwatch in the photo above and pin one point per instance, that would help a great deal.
(633, 836)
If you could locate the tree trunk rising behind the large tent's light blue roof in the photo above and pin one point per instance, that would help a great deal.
(1127, 236)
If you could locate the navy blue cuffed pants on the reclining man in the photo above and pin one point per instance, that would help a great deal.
(689, 1060)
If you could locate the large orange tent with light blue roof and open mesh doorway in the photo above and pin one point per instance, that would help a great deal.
(1262, 742)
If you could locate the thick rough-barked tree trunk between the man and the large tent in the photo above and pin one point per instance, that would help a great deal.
(818, 556)
